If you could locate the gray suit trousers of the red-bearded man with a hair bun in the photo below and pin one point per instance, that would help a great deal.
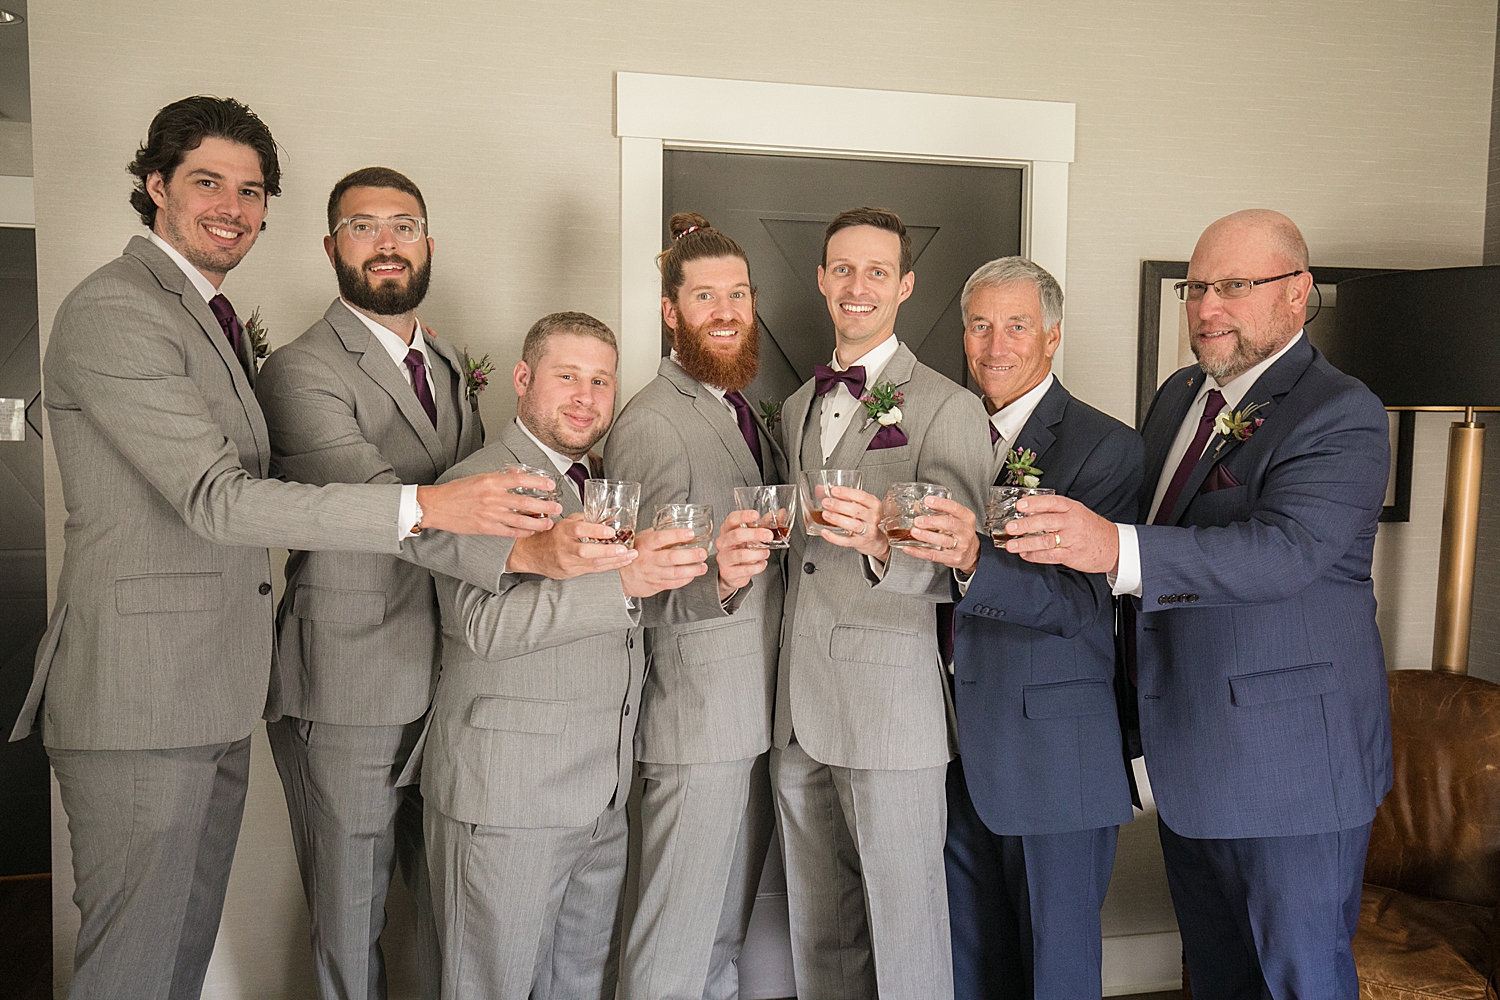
(704, 836)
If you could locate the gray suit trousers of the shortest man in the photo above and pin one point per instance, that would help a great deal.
(529, 914)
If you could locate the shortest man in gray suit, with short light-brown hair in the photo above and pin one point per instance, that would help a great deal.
(527, 756)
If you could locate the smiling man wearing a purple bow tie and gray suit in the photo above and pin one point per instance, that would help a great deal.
(862, 707)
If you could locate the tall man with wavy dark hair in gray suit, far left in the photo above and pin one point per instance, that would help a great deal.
(157, 660)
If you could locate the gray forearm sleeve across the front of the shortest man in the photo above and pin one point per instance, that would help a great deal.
(532, 612)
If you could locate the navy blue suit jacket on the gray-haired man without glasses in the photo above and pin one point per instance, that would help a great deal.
(1034, 648)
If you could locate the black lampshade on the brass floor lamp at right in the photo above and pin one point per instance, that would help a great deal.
(1421, 338)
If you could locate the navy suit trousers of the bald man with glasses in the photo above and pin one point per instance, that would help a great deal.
(1268, 917)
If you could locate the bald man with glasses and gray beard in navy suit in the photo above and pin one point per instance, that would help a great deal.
(1252, 623)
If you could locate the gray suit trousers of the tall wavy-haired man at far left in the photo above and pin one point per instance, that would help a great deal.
(154, 836)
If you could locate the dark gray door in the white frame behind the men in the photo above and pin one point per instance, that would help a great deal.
(778, 208)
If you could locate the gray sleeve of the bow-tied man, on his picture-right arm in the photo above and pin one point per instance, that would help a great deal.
(956, 452)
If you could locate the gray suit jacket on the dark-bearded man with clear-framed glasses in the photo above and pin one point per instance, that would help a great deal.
(358, 633)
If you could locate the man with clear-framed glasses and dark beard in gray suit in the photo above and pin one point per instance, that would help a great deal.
(364, 397)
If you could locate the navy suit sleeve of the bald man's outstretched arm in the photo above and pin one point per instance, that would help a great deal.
(1324, 488)
